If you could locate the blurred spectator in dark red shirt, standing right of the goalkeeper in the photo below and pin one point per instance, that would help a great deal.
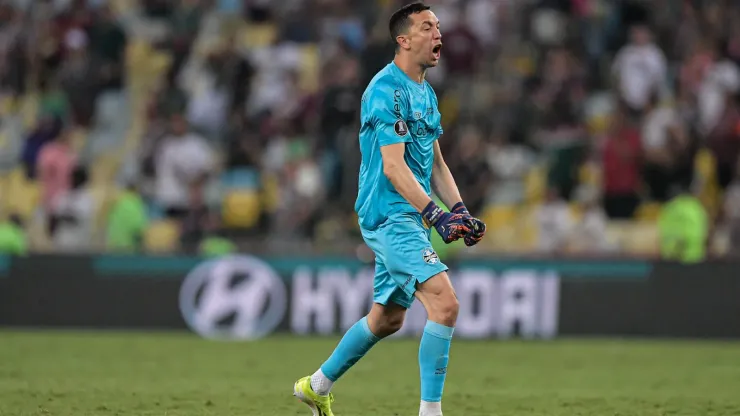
(622, 161)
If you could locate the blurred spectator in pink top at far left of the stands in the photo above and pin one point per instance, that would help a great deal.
(56, 163)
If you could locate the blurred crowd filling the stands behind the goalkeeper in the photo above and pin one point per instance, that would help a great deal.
(571, 126)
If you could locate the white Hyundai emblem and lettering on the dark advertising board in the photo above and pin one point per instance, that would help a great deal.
(243, 297)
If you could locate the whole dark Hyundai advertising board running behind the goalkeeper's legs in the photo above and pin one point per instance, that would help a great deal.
(247, 297)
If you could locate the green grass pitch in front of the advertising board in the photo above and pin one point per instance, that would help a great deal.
(127, 374)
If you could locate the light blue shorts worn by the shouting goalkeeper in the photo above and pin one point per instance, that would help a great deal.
(403, 257)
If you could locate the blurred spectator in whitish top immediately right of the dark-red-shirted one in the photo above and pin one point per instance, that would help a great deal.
(665, 144)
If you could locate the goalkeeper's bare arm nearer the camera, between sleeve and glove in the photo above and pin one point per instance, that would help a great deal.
(399, 174)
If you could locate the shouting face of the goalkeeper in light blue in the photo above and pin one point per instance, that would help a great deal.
(424, 38)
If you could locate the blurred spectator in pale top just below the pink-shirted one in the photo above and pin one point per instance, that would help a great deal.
(73, 216)
